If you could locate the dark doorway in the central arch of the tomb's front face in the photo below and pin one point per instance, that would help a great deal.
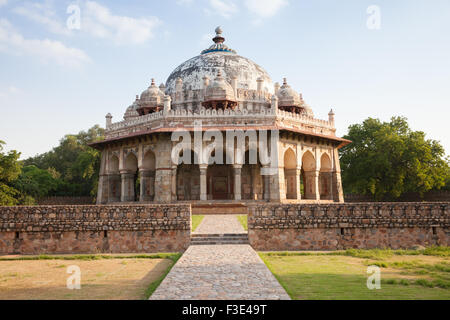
(220, 182)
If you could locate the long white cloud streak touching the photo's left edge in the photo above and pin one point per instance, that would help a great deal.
(48, 51)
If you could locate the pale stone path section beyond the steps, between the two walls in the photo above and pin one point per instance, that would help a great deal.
(220, 224)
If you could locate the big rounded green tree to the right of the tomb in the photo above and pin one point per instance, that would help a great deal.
(388, 159)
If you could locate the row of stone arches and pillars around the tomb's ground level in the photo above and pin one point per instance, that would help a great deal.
(307, 173)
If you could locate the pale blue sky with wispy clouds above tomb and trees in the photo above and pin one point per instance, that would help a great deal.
(65, 64)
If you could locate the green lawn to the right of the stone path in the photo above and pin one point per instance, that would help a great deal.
(343, 275)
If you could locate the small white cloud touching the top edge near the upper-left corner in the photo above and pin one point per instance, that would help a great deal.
(42, 13)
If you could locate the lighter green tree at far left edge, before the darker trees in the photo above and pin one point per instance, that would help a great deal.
(10, 169)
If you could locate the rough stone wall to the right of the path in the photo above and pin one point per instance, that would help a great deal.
(343, 226)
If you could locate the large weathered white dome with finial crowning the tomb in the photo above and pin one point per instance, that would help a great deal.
(219, 58)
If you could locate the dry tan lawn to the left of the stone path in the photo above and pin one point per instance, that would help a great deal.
(103, 277)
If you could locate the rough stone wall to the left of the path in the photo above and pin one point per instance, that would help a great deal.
(94, 229)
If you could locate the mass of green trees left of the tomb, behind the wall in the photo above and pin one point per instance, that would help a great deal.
(70, 169)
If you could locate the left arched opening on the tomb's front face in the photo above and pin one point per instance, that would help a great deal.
(188, 180)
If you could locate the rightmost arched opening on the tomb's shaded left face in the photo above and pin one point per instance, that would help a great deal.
(147, 177)
